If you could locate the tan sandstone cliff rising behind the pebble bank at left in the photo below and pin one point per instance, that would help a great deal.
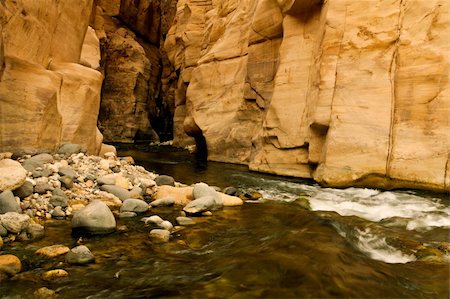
(46, 96)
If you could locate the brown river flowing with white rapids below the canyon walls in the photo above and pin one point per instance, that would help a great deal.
(359, 243)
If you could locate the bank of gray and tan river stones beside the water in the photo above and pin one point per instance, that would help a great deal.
(92, 192)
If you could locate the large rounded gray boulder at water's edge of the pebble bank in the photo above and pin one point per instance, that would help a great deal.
(95, 218)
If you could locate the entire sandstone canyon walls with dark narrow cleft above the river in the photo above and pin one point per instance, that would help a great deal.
(346, 92)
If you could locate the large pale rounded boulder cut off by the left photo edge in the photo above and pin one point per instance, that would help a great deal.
(12, 175)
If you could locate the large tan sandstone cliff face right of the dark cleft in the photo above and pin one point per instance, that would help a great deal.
(348, 93)
